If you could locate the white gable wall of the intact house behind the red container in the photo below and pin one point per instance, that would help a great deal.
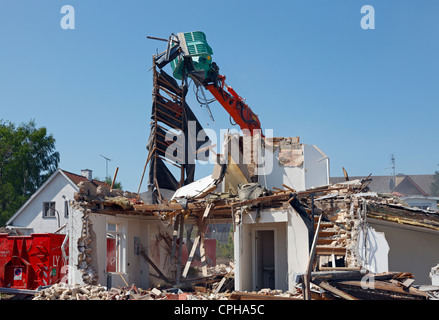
(32, 214)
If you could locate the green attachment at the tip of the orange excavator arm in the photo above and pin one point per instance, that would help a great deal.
(194, 45)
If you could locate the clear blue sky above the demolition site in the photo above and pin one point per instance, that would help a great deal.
(307, 68)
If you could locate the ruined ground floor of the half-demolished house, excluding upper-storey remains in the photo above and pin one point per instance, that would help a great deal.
(318, 240)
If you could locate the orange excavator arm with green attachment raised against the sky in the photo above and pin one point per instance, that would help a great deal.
(190, 56)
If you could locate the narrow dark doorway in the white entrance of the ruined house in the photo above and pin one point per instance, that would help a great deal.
(265, 259)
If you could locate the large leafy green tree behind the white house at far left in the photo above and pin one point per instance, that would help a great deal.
(27, 159)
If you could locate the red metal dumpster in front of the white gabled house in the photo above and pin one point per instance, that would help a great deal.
(27, 262)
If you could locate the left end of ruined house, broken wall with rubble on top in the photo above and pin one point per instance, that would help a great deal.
(89, 228)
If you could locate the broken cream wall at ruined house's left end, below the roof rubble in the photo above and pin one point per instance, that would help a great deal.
(88, 250)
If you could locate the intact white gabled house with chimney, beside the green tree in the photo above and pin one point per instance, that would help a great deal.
(48, 210)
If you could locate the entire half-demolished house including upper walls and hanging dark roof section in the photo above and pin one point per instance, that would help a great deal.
(294, 235)
